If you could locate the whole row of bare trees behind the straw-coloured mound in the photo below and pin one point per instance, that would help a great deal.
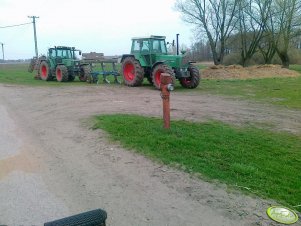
(268, 27)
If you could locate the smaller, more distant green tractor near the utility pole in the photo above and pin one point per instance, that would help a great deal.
(61, 63)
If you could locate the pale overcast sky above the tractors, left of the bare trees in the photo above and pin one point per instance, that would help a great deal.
(105, 26)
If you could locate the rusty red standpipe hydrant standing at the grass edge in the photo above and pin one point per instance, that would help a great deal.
(166, 86)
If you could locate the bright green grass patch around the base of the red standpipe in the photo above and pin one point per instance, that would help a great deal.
(267, 163)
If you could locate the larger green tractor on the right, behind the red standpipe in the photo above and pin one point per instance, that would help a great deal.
(149, 59)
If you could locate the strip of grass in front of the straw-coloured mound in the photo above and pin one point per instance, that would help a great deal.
(279, 91)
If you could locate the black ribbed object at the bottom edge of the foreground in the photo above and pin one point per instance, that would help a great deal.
(91, 218)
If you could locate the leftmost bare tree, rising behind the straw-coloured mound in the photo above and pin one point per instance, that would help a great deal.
(215, 18)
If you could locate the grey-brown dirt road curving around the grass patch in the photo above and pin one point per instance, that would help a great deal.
(52, 165)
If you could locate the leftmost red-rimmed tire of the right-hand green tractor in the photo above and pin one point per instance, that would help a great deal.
(132, 72)
